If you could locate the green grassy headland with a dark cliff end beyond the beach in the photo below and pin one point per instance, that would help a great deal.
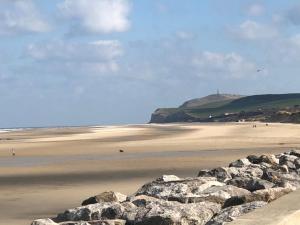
(269, 107)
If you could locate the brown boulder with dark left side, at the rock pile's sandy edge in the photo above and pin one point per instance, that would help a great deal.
(107, 196)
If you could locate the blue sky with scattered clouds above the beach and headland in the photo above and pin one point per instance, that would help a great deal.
(99, 62)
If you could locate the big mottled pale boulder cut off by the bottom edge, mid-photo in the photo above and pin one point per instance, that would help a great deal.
(171, 213)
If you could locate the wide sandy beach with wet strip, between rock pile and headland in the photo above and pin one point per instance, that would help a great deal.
(56, 168)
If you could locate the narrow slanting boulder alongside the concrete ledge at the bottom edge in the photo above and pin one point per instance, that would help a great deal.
(229, 214)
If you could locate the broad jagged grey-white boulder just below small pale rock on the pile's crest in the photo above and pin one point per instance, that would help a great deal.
(181, 191)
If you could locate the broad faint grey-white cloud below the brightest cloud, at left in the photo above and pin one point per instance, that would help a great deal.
(89, 58)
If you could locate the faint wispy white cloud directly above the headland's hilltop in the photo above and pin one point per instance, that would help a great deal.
(230, 65)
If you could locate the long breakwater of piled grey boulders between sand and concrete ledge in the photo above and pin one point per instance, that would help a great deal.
(215, 197)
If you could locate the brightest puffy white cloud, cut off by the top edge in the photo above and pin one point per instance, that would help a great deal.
(96, 16)
